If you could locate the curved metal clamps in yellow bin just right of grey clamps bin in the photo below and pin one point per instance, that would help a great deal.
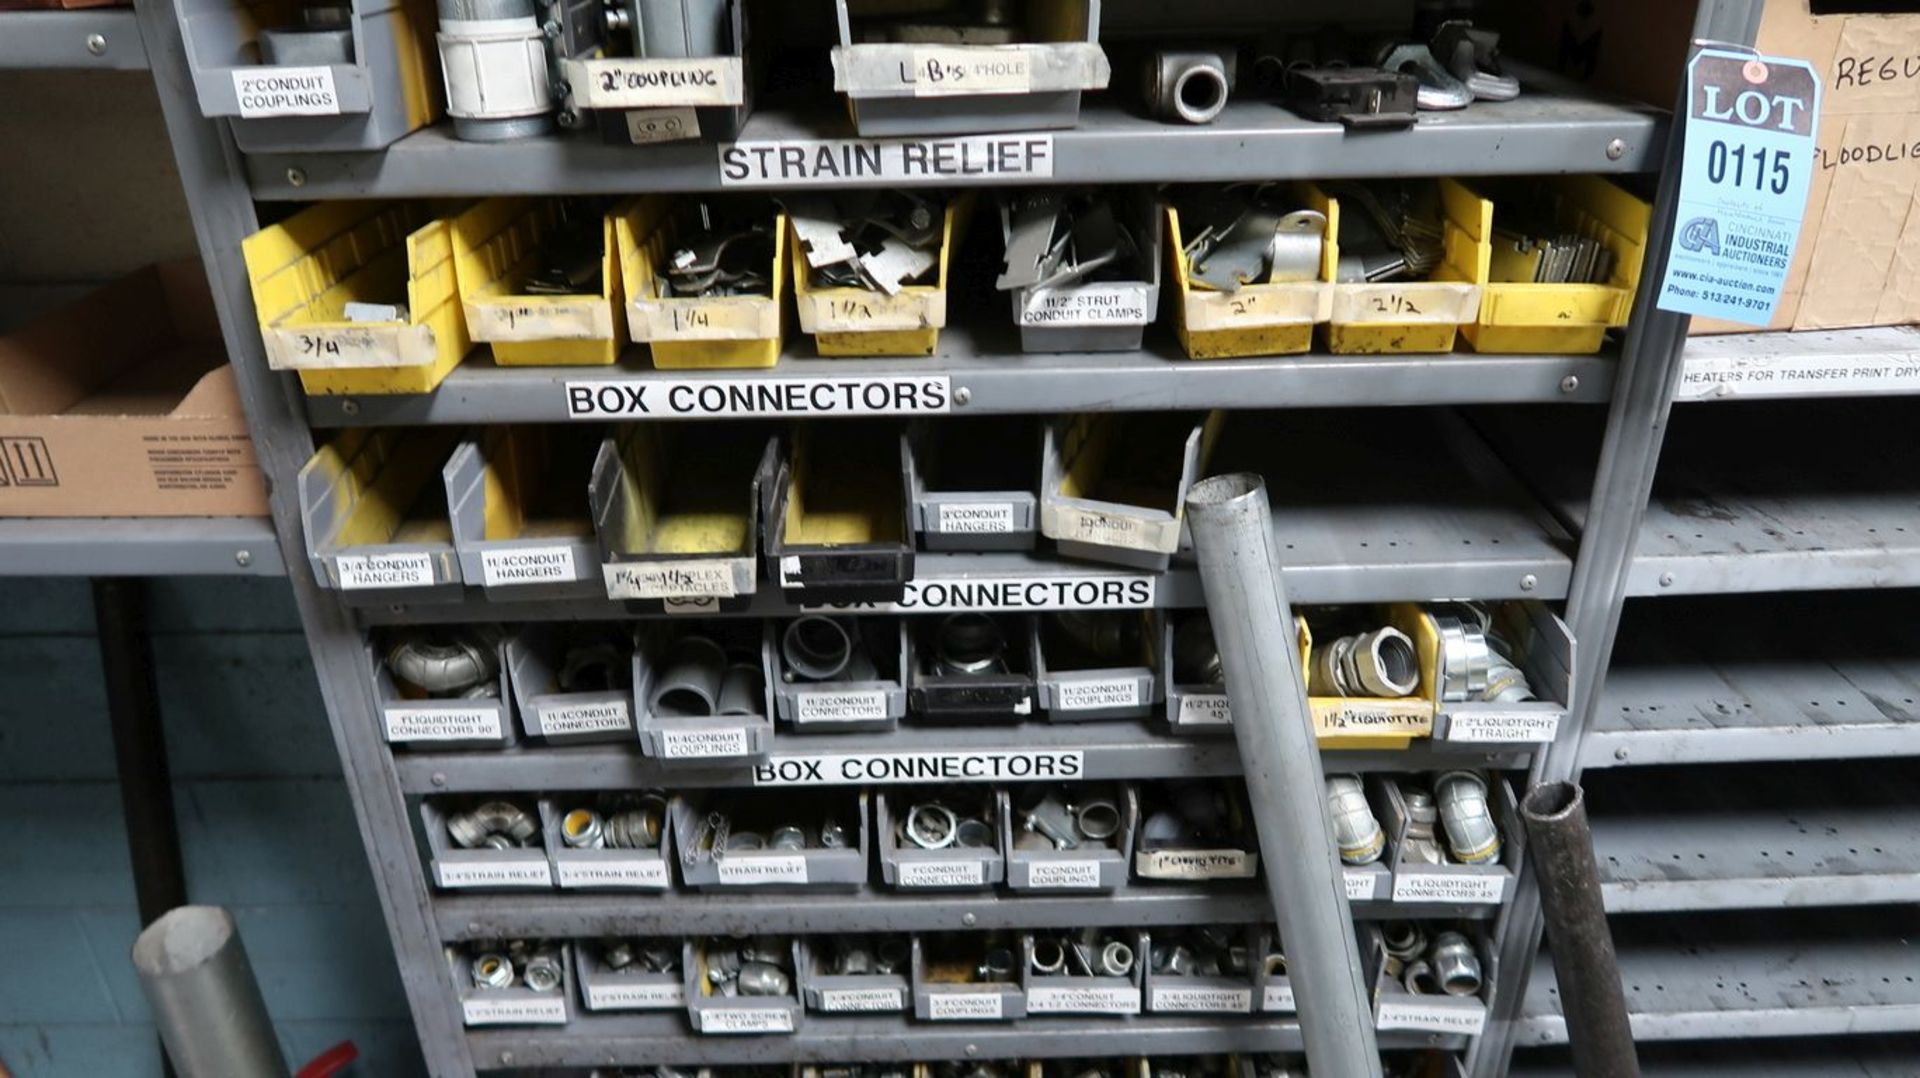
(1249, 235)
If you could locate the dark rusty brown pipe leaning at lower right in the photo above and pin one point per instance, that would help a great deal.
(1562, 852)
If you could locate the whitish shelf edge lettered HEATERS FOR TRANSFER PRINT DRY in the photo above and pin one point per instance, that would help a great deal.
(1762, 366)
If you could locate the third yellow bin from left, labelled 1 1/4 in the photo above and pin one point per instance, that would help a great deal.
(698, 333)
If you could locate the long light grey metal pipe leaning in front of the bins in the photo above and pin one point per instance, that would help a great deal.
(1285, 785)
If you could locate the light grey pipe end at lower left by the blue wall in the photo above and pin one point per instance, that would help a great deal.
(206, 1002)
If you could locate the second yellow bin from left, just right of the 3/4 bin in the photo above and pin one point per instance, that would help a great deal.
(496, 249)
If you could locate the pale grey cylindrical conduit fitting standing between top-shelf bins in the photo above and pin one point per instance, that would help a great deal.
(494, 66)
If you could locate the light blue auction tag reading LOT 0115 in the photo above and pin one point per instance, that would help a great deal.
(1750, 139)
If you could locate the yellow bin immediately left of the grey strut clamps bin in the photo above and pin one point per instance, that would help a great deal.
(855, 322)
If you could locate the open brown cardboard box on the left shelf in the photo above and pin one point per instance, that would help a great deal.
(122, 404)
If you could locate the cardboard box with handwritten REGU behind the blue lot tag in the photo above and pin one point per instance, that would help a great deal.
(1860, 255)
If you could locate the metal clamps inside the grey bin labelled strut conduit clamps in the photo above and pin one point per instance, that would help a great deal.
(1067, 237)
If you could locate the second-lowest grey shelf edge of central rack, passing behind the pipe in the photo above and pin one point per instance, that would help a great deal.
(871, 910)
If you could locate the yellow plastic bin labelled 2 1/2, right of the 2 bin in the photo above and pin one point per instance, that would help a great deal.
(1410, 316)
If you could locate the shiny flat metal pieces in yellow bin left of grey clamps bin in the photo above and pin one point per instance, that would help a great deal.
(880, 241)
